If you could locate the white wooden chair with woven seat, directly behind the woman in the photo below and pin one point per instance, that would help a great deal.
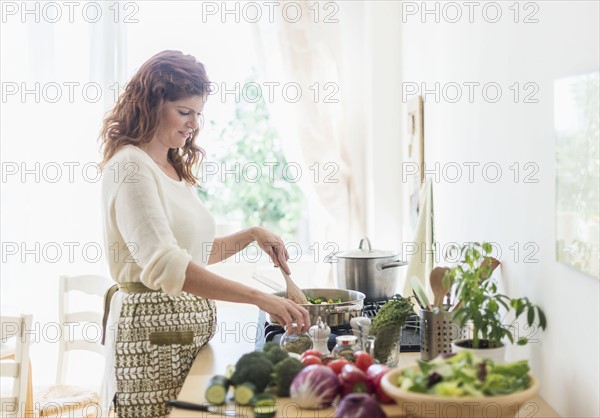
(62, 399)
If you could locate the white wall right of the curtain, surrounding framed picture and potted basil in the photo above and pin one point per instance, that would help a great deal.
(514, 214)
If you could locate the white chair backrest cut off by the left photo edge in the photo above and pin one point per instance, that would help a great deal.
(15, 340)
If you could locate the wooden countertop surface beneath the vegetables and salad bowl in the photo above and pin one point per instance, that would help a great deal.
(236, 334)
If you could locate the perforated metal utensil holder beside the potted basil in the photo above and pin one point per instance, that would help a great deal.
(438, 330)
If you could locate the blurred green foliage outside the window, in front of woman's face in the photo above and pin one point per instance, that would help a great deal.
(249, 183)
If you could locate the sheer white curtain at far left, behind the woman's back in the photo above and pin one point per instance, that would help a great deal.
(58, 76)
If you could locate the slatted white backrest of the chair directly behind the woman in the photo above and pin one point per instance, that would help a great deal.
(82, 329)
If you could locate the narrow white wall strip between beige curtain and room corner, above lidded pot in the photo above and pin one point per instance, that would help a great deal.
(382, 107)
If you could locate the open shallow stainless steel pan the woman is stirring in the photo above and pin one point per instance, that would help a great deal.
(334, 314)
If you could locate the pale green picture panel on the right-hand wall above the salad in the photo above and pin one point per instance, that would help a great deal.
(576, 117)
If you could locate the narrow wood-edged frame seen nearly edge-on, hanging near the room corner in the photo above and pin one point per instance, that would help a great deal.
(415, 158)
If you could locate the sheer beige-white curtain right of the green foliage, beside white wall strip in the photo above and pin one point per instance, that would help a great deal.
(325, 130)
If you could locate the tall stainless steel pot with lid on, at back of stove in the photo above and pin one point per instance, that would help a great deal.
(372, 272)
